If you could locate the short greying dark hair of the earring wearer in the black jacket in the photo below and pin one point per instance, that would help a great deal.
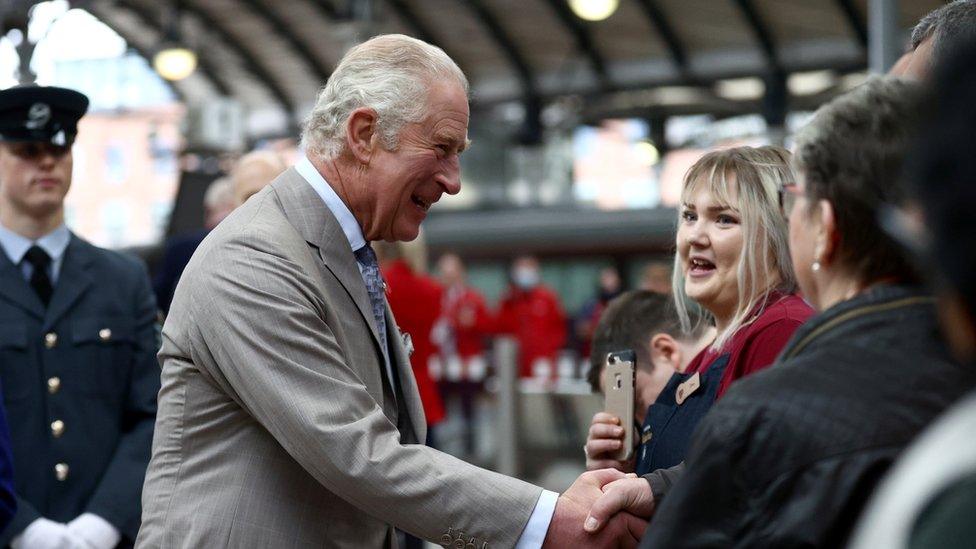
(851, 155)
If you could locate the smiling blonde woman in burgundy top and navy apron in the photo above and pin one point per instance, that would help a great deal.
(733, 260)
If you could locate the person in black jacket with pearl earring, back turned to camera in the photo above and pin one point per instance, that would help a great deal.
(790, 456)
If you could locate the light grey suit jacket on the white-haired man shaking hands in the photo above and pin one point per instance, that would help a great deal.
(277, 423)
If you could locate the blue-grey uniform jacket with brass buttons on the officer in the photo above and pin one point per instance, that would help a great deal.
(80, 382)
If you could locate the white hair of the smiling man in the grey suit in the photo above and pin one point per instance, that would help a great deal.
(390, 74)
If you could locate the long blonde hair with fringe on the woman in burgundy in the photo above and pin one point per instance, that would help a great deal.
(755, 176)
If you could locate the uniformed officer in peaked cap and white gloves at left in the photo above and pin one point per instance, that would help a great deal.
(77, 344)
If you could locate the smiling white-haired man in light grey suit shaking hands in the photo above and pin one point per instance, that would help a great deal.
(288, 414)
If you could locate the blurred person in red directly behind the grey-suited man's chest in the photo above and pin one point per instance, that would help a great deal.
(415, 299)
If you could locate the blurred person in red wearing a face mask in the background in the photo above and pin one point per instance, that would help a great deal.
(531, 312)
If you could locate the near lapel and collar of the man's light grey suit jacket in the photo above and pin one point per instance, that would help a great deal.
(313, 220)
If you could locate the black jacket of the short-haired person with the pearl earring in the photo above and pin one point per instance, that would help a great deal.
(789, 456)
